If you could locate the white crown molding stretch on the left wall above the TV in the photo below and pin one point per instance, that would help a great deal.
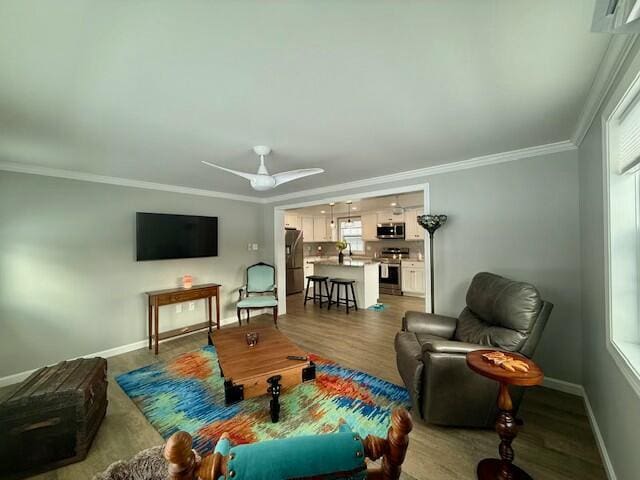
(122, 182)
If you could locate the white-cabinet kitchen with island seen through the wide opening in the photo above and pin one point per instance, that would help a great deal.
(384, 243)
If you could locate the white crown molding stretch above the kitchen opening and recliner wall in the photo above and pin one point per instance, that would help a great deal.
(435, 170)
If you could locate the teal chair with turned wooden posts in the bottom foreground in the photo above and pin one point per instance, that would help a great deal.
(336, 455)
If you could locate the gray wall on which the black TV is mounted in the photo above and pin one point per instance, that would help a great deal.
(69, 282)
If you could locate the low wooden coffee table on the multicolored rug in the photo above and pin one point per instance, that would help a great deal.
(246, 370)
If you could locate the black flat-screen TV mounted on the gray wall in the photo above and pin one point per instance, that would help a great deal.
(162, 236)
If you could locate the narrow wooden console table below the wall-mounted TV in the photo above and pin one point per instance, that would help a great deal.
(170, 296)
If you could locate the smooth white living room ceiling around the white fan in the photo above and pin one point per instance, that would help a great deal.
(145, 90)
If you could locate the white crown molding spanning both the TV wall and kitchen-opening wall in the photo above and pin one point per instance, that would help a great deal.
(394, 177)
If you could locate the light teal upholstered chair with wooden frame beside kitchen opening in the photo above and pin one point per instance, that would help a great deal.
(259, 292)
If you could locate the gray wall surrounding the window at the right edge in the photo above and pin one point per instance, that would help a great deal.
(615, 405)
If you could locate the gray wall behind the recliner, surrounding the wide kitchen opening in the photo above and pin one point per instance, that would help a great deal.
(518, 219)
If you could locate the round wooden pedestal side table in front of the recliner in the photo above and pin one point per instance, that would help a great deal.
(503, 468)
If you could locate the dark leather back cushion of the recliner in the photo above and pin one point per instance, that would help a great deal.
(499, 312)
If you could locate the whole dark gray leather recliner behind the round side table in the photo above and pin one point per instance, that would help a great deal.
(431, 350)
